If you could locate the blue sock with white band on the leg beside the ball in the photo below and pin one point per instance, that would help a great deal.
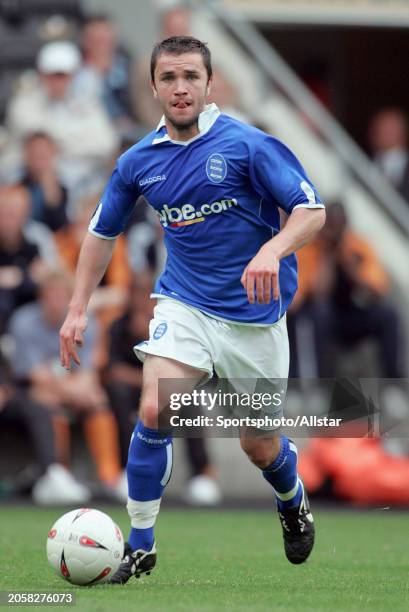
(149, 469)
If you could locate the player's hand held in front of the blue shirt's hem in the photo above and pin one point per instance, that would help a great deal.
(260, 277)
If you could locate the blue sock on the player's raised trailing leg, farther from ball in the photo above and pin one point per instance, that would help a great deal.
(283, 477)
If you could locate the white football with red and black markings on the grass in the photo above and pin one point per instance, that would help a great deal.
(85, 546)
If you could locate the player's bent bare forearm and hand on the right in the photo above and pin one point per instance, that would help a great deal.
(261, 276)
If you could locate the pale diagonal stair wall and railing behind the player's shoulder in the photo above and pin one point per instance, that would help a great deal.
(277, 98)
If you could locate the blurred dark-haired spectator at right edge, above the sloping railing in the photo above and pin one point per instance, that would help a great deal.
(388, 139)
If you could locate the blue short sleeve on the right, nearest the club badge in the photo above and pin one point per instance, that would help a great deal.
(277, 175)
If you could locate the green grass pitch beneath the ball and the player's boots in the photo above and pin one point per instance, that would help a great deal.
(230, 561)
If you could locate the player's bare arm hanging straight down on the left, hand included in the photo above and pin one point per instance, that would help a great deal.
(93, 261)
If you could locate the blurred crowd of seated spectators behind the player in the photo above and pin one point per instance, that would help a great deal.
(83, 101)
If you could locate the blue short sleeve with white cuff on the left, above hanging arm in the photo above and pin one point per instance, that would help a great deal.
(116, 205)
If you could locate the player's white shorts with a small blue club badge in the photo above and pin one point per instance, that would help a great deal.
(232, 350)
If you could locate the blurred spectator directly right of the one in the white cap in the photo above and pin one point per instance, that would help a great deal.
(105, 70)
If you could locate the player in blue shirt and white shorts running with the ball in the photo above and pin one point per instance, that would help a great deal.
(217, 186)
